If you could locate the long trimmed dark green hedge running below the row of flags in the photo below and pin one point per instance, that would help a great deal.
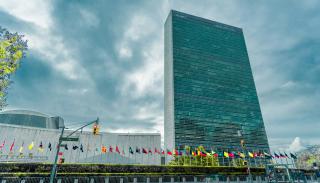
(35, 169)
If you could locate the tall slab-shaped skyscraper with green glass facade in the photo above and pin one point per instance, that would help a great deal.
(210, 95)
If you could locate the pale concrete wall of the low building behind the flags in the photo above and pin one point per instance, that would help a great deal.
(18, 136)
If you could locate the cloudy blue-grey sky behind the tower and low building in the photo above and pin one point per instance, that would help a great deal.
(105, 58)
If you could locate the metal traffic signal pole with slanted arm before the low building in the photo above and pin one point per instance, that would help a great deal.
(67, 138)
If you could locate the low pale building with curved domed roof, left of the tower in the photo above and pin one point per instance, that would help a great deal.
(28, 136)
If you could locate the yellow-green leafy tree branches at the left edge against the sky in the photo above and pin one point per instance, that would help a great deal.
(12, 49)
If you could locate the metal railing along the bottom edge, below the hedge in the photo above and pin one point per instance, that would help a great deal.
(162, 179)
